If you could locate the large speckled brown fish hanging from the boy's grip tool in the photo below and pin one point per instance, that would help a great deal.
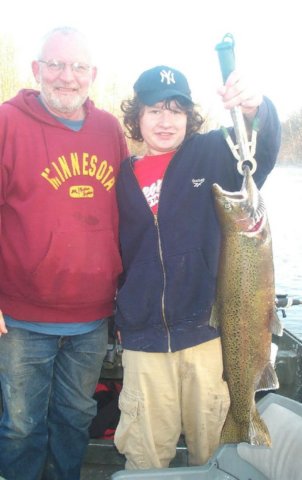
(245, 308)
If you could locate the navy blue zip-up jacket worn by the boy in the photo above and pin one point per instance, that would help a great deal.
(170, 261)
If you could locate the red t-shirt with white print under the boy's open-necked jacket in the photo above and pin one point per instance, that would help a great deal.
(149, 172)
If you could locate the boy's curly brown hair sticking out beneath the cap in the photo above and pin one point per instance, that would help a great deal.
(132, 109)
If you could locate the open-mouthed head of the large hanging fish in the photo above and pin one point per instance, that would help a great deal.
(242, 211)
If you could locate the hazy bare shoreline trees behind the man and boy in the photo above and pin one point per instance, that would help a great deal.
(11, 82)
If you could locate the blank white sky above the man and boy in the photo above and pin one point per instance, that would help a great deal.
(130, 36)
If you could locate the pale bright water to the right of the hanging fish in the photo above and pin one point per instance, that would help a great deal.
(282, 194)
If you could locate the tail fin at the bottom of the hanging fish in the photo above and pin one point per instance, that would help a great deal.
(254, 432)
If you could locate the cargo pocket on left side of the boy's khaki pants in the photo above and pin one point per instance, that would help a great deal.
(128, 435)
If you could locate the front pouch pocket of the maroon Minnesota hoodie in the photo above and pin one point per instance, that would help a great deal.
(80, 267)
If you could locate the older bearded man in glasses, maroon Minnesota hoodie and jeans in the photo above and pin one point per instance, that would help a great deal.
(59, 260)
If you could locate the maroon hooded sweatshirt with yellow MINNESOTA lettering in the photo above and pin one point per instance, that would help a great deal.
(59, 255)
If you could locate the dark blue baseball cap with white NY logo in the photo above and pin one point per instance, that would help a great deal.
(160, 83)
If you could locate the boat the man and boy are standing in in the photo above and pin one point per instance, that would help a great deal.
(103, 462)
